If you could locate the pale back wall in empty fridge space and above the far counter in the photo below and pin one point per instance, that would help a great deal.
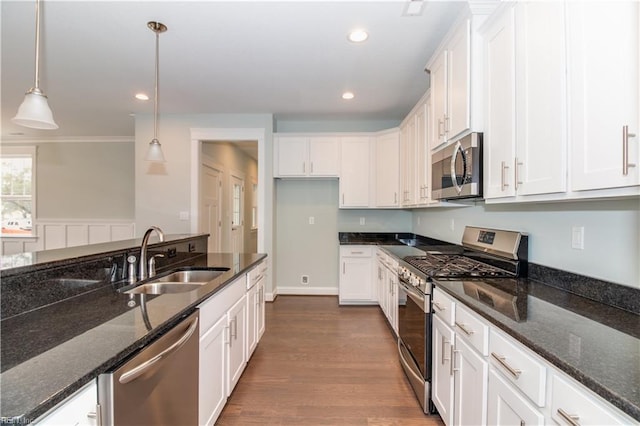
(305, 249)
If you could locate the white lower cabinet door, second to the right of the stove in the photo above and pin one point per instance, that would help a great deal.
(471, 374)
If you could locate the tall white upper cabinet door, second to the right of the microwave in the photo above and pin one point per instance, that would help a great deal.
(541, 101)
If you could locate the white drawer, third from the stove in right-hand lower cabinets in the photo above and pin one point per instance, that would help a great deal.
(523, 370)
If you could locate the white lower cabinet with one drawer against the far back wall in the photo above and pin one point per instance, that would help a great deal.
(356, 275)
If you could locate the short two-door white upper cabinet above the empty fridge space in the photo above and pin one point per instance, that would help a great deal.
(306, 156)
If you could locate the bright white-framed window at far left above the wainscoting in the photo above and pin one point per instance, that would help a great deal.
(18, 190)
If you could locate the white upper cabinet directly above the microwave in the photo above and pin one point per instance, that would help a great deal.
(456, 88)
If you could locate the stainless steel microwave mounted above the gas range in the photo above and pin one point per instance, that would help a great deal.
(456, 169)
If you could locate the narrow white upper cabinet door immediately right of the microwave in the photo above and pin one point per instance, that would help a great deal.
(499, 56)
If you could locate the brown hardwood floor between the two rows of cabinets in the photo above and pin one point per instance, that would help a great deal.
(322, 364)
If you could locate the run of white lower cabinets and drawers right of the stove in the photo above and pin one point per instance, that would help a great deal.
(495, 380)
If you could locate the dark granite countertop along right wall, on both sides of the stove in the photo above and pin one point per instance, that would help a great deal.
(594, 339)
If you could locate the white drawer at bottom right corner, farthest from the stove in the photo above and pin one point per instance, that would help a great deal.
(569, 402)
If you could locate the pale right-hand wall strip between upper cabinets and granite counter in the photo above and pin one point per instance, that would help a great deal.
(611, 243)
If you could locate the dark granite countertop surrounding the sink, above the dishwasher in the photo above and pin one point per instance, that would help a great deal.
(91, 334)
